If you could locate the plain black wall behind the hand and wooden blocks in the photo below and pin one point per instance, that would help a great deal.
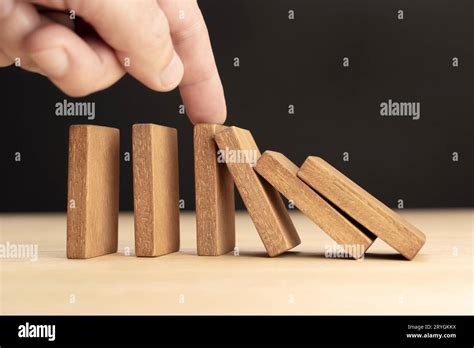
(299, 62)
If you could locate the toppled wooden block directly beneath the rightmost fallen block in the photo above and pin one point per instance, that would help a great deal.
(280, 172)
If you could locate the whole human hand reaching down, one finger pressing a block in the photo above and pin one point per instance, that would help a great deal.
(162, 43)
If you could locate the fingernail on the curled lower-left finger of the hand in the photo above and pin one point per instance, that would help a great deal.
(53, 62)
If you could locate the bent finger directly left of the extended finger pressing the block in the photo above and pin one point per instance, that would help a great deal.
(139, 32)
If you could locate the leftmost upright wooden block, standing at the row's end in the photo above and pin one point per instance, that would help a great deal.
(93, 191)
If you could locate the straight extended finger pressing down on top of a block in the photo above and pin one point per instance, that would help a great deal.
(201, 87)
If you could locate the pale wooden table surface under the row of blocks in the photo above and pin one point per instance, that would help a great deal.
(438, 281)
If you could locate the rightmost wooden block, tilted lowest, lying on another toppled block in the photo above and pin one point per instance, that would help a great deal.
(362, 207)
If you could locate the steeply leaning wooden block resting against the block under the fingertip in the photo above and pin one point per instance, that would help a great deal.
(263, 202)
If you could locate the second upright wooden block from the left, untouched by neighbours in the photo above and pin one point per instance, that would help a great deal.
(155, 189)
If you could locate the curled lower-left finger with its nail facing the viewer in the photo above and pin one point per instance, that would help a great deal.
(77, 66)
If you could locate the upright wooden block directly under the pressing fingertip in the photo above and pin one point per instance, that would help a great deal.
(215, 207)
